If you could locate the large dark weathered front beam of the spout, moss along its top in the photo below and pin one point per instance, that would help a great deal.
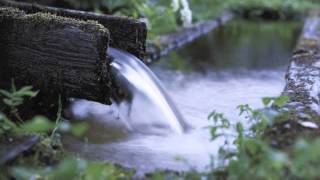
(56, 55)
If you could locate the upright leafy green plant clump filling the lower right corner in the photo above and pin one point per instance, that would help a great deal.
(255, 158)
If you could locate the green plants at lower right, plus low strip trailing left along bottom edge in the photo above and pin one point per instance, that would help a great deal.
(257, 155)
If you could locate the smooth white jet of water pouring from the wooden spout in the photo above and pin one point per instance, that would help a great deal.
(143, 104)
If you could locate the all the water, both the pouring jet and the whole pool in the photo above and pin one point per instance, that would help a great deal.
(237, 64)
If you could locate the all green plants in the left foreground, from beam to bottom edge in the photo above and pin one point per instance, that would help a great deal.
(46, 159)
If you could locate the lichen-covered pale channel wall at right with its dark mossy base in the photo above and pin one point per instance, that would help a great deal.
(303, 89)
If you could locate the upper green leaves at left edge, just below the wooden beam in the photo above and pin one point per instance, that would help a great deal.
(38, 125)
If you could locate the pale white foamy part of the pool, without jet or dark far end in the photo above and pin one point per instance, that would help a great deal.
(196, 96)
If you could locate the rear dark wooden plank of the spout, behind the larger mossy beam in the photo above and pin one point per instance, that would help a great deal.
(125, 33)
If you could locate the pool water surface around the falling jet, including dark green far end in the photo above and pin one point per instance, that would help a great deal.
(237, 64)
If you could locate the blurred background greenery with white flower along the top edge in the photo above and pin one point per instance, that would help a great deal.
(163, 16)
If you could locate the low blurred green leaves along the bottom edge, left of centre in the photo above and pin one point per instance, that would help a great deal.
(72, 168)
